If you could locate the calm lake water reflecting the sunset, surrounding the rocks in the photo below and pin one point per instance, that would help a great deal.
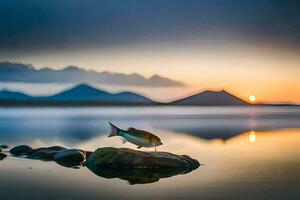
(249, 153)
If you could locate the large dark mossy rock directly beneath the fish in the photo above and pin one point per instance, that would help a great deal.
(138, 167)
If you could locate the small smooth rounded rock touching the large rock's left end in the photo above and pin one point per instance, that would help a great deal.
(70, 155)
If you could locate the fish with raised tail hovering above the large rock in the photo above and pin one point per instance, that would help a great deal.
(138, 137)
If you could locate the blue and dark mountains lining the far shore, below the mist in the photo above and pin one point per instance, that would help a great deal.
(84, 94)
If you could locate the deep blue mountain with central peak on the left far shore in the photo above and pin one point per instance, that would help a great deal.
(80, 94)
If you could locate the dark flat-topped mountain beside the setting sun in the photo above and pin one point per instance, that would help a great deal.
(211, 98)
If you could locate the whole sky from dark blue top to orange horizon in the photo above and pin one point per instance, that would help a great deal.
(246, 47)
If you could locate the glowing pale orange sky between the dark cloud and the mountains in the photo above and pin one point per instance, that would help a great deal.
(271, 74)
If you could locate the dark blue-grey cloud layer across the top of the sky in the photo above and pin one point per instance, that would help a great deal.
(56, 24)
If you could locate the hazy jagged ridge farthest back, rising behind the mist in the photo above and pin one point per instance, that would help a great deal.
(17, 72)
